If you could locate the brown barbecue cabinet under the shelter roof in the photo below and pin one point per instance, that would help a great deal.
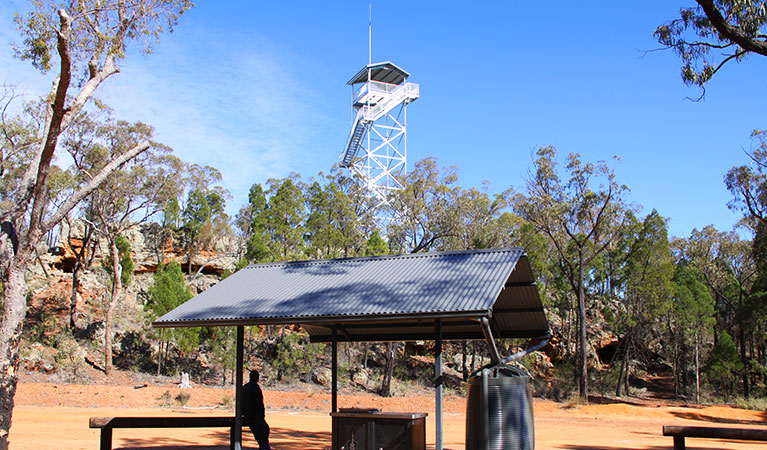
(371, 429)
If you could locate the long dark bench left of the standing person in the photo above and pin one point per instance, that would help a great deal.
(107, 424)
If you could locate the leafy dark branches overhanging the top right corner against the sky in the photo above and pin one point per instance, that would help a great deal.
(713, 33)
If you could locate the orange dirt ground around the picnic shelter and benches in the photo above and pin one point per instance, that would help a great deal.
(55, 416)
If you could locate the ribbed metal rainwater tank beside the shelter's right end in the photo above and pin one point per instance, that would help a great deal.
(499, 410)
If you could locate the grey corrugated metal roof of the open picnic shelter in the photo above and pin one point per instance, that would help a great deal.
(378, 298)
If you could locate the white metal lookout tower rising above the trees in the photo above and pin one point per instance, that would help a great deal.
(376, 148)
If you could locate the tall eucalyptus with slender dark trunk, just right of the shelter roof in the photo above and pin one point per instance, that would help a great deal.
(580, 216)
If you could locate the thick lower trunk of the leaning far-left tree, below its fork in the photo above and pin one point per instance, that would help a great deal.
(14, 310)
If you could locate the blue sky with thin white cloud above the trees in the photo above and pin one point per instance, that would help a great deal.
(257, 90)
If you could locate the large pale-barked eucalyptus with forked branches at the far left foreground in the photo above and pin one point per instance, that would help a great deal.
(85, 40)
